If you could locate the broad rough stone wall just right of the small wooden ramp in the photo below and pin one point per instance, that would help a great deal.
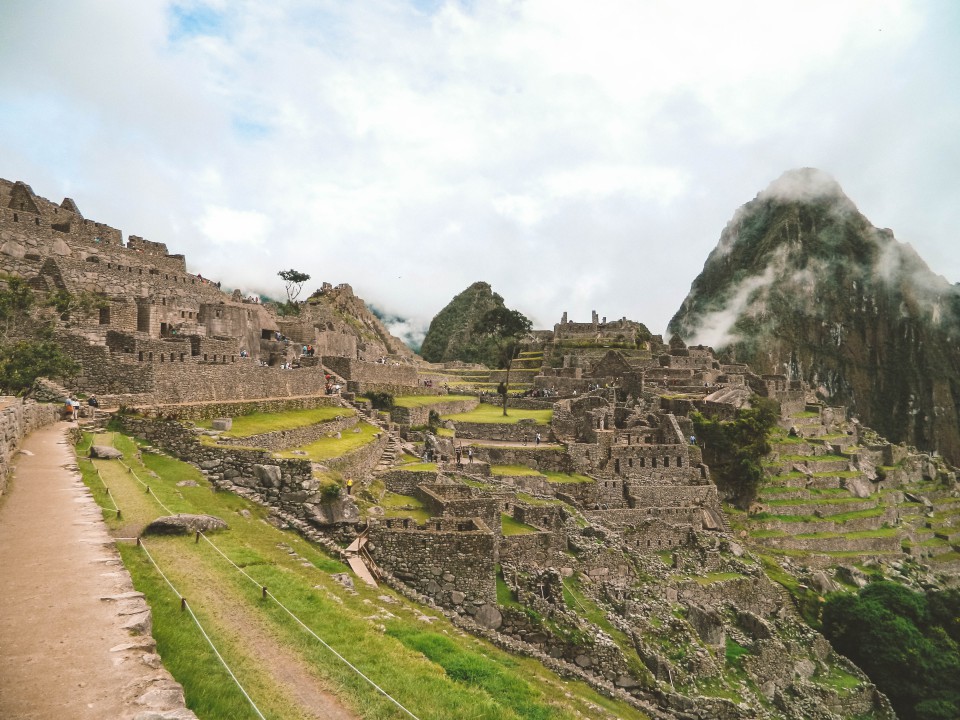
(448, 559)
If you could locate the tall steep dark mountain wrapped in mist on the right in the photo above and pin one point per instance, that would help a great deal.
(801, 283)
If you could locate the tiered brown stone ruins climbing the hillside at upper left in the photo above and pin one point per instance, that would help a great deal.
(162, 334)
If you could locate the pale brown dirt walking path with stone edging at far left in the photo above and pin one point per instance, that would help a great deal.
(74, 637)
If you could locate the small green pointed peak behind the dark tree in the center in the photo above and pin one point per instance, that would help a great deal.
(451, 336)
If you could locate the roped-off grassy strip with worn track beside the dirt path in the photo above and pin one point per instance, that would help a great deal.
(430, 667)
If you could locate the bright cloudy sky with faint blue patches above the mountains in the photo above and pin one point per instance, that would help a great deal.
(575, 155)
